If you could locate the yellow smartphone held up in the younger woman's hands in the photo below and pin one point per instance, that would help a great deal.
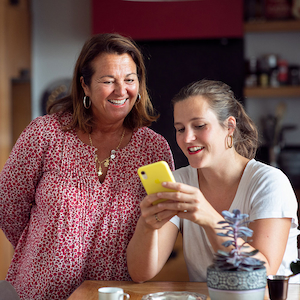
(153, 175)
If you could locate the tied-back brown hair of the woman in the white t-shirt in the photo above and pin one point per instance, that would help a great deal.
(222, 101)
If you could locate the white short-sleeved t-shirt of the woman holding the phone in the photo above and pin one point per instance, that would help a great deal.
(263, 192)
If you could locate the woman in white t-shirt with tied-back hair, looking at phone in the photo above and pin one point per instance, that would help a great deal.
(220, 142)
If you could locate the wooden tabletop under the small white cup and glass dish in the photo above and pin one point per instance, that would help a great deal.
(88, 290)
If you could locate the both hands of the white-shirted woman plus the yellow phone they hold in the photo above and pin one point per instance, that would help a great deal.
(161, 186)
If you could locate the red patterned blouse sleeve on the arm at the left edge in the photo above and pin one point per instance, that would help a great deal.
(19, 179)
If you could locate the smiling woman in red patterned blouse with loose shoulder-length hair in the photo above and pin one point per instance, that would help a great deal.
(69, 192)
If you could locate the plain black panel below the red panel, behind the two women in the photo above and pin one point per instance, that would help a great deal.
(173, 64)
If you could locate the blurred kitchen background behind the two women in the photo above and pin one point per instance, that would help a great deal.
(252, 45)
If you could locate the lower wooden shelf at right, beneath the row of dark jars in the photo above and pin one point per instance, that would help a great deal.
(283, 91)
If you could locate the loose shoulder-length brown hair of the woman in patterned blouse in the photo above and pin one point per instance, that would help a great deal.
(142, 113)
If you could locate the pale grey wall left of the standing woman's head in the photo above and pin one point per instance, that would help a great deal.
(59, 30)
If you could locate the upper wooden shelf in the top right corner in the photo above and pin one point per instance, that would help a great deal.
(272, 26)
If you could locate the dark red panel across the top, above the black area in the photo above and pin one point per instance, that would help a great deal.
(169, 19)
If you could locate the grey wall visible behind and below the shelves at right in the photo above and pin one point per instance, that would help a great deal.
(287, 46)
